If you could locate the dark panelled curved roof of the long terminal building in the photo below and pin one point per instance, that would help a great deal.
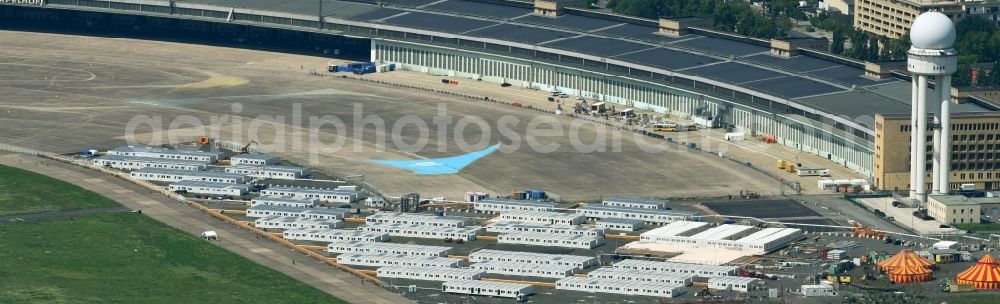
(834, 86)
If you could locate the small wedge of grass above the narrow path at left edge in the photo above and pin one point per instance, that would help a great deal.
(23, 192)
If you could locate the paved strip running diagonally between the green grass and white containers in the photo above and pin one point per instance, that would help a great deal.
(175, 214)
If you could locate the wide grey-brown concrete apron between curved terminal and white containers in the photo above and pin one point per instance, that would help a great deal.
(67, 93)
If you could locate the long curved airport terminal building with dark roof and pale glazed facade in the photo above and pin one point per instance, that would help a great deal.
(807, 99)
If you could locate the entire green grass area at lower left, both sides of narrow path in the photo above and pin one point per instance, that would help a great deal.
(123, 258)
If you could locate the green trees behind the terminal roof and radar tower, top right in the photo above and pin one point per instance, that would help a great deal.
(978, 39)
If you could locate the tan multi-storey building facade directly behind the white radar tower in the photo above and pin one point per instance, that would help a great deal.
(975, 153)
